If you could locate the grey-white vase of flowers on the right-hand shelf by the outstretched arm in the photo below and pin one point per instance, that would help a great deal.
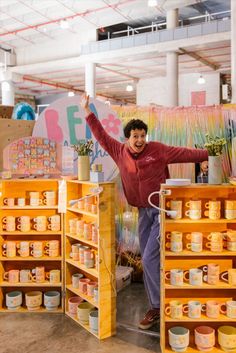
(214, 146)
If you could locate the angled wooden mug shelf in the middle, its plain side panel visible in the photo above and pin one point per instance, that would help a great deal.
(104, 274)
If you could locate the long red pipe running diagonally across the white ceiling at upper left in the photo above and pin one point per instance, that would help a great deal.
(78, 14)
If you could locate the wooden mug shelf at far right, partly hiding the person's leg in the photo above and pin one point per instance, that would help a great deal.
(187, 259)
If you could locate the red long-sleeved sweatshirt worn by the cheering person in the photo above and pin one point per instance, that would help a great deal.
(143, 173)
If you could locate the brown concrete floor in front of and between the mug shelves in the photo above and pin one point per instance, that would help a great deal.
(39, 333)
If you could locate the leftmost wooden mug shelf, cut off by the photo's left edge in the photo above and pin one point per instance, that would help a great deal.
(20, 188)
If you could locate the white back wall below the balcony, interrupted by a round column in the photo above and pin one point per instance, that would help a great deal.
(154, 90)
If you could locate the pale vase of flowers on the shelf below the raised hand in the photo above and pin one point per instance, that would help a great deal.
(83, 150)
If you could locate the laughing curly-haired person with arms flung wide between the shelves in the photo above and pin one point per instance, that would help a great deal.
(143, 167)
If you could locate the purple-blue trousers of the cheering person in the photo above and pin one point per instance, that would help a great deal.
(149, 232)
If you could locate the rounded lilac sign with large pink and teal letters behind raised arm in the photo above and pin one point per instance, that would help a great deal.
(64, 122)
